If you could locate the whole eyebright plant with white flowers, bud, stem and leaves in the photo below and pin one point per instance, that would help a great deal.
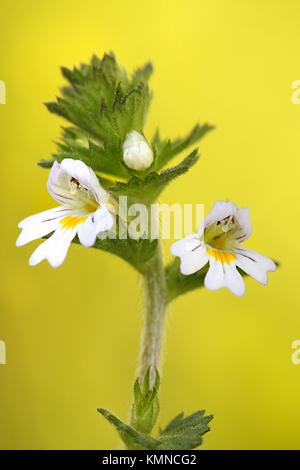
(103, 154)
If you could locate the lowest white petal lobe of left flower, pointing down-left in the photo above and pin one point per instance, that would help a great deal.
(54, 249)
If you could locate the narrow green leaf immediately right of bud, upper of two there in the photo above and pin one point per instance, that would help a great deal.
(166, 149)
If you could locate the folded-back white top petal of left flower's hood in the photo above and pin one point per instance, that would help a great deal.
(85, 175)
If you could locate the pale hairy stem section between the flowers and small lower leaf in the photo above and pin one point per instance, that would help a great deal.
(155, 305)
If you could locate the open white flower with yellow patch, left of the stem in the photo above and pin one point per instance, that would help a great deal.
(83, 211)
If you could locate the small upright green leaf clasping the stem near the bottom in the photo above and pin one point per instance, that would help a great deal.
(145, 408)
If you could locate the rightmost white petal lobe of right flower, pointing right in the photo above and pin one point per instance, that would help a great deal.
(254, 264)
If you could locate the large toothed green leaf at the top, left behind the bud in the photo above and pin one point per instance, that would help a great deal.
(103, 104)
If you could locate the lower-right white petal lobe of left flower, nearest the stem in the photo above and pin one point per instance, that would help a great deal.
(100, 221)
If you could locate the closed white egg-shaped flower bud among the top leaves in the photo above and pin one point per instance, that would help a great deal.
(137, 153)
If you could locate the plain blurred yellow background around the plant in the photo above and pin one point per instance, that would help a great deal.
(72, 334)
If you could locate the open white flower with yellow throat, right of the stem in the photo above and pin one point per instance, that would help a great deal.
(218, 242)
